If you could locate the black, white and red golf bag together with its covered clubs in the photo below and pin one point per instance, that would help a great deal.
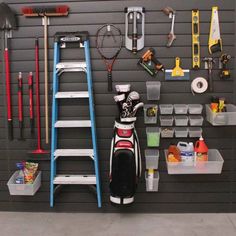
(125, 156)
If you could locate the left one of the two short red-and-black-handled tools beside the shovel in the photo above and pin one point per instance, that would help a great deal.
(20, 104)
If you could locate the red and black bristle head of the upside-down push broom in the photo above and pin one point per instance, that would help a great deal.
(61, 10)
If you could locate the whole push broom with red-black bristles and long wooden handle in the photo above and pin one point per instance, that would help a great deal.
(45, 13)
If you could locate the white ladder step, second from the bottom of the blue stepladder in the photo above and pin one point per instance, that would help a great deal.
(74, 152)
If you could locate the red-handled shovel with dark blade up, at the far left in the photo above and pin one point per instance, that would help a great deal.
(7, 24)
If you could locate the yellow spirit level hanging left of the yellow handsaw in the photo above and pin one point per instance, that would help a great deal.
(195, 40)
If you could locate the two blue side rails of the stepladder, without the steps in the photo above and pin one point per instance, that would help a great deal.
(54, 134)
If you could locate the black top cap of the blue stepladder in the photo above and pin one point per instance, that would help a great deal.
(78, 36)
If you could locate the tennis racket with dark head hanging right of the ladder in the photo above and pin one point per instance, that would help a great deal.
(109, 42)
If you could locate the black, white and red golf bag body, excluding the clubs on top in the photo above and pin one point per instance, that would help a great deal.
(125, 164)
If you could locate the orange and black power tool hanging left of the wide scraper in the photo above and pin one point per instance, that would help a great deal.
(150, 63)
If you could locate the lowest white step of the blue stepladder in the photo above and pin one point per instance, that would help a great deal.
(75, 179)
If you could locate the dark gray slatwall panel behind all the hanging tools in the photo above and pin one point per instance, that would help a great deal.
(192, 193)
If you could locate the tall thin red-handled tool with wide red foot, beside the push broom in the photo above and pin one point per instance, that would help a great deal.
(39, 150)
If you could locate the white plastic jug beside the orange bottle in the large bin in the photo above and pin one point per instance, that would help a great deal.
(186, 152)
